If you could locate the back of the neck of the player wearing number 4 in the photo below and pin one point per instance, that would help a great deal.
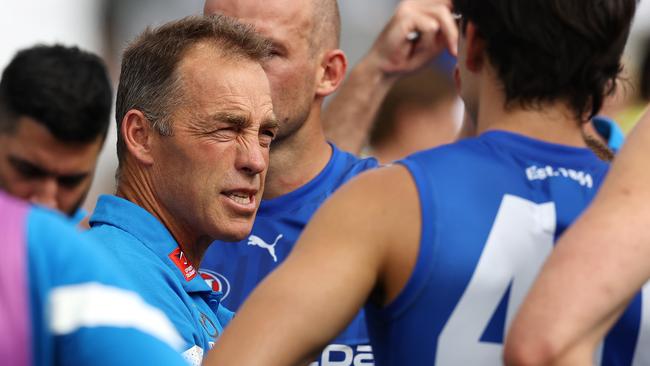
(551, 122)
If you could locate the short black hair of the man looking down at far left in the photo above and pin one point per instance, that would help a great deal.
(64, 88)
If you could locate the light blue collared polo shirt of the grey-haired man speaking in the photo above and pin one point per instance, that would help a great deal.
(160, 271)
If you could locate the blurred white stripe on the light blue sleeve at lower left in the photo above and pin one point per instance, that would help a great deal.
(97, 305)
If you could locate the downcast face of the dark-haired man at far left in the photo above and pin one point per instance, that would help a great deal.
(37, 167)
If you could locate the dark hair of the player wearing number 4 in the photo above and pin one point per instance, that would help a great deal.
(553, 50)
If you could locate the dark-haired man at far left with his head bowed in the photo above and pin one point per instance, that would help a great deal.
(55, 105)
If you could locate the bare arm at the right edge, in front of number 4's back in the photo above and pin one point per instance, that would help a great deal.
(597, 267)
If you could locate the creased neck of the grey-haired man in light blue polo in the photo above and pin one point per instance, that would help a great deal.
(135, 186)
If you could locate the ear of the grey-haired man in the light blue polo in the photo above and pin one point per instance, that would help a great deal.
(137, 133)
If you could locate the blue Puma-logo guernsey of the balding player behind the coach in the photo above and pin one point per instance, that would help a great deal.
(236, 268)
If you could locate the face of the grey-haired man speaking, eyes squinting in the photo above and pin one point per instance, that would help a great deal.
(209, 175)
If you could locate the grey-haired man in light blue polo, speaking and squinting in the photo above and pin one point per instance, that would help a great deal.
(195, 122)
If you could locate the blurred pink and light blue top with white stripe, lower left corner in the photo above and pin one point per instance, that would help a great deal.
(62, 302)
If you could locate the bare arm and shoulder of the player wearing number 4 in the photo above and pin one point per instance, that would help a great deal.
(327, 278)
